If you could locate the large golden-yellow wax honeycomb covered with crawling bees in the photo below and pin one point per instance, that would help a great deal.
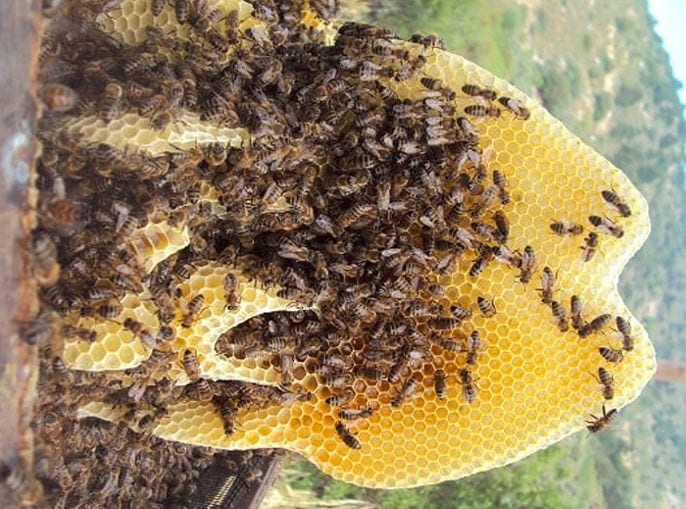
(383, 290)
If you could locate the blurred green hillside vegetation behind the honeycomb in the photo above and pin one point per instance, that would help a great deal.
(601, 69)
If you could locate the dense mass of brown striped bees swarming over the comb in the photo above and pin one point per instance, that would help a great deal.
(358, 202)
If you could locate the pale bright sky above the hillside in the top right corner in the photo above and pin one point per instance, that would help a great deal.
(671, 27)
